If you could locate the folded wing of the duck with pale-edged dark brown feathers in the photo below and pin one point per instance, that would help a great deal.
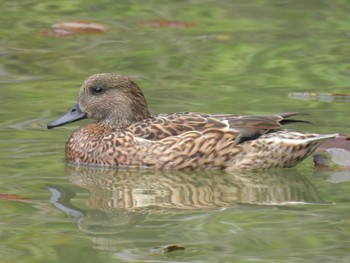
(247, 127)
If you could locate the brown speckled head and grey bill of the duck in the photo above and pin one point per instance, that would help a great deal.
(111, 99)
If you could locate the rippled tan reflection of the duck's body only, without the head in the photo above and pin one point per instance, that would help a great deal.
(157, 191)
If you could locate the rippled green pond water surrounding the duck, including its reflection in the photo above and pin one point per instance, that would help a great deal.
(239, 57)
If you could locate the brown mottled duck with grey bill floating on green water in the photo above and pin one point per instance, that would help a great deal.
(125, 134)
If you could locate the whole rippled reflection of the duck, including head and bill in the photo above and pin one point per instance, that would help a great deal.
(120, 200)
